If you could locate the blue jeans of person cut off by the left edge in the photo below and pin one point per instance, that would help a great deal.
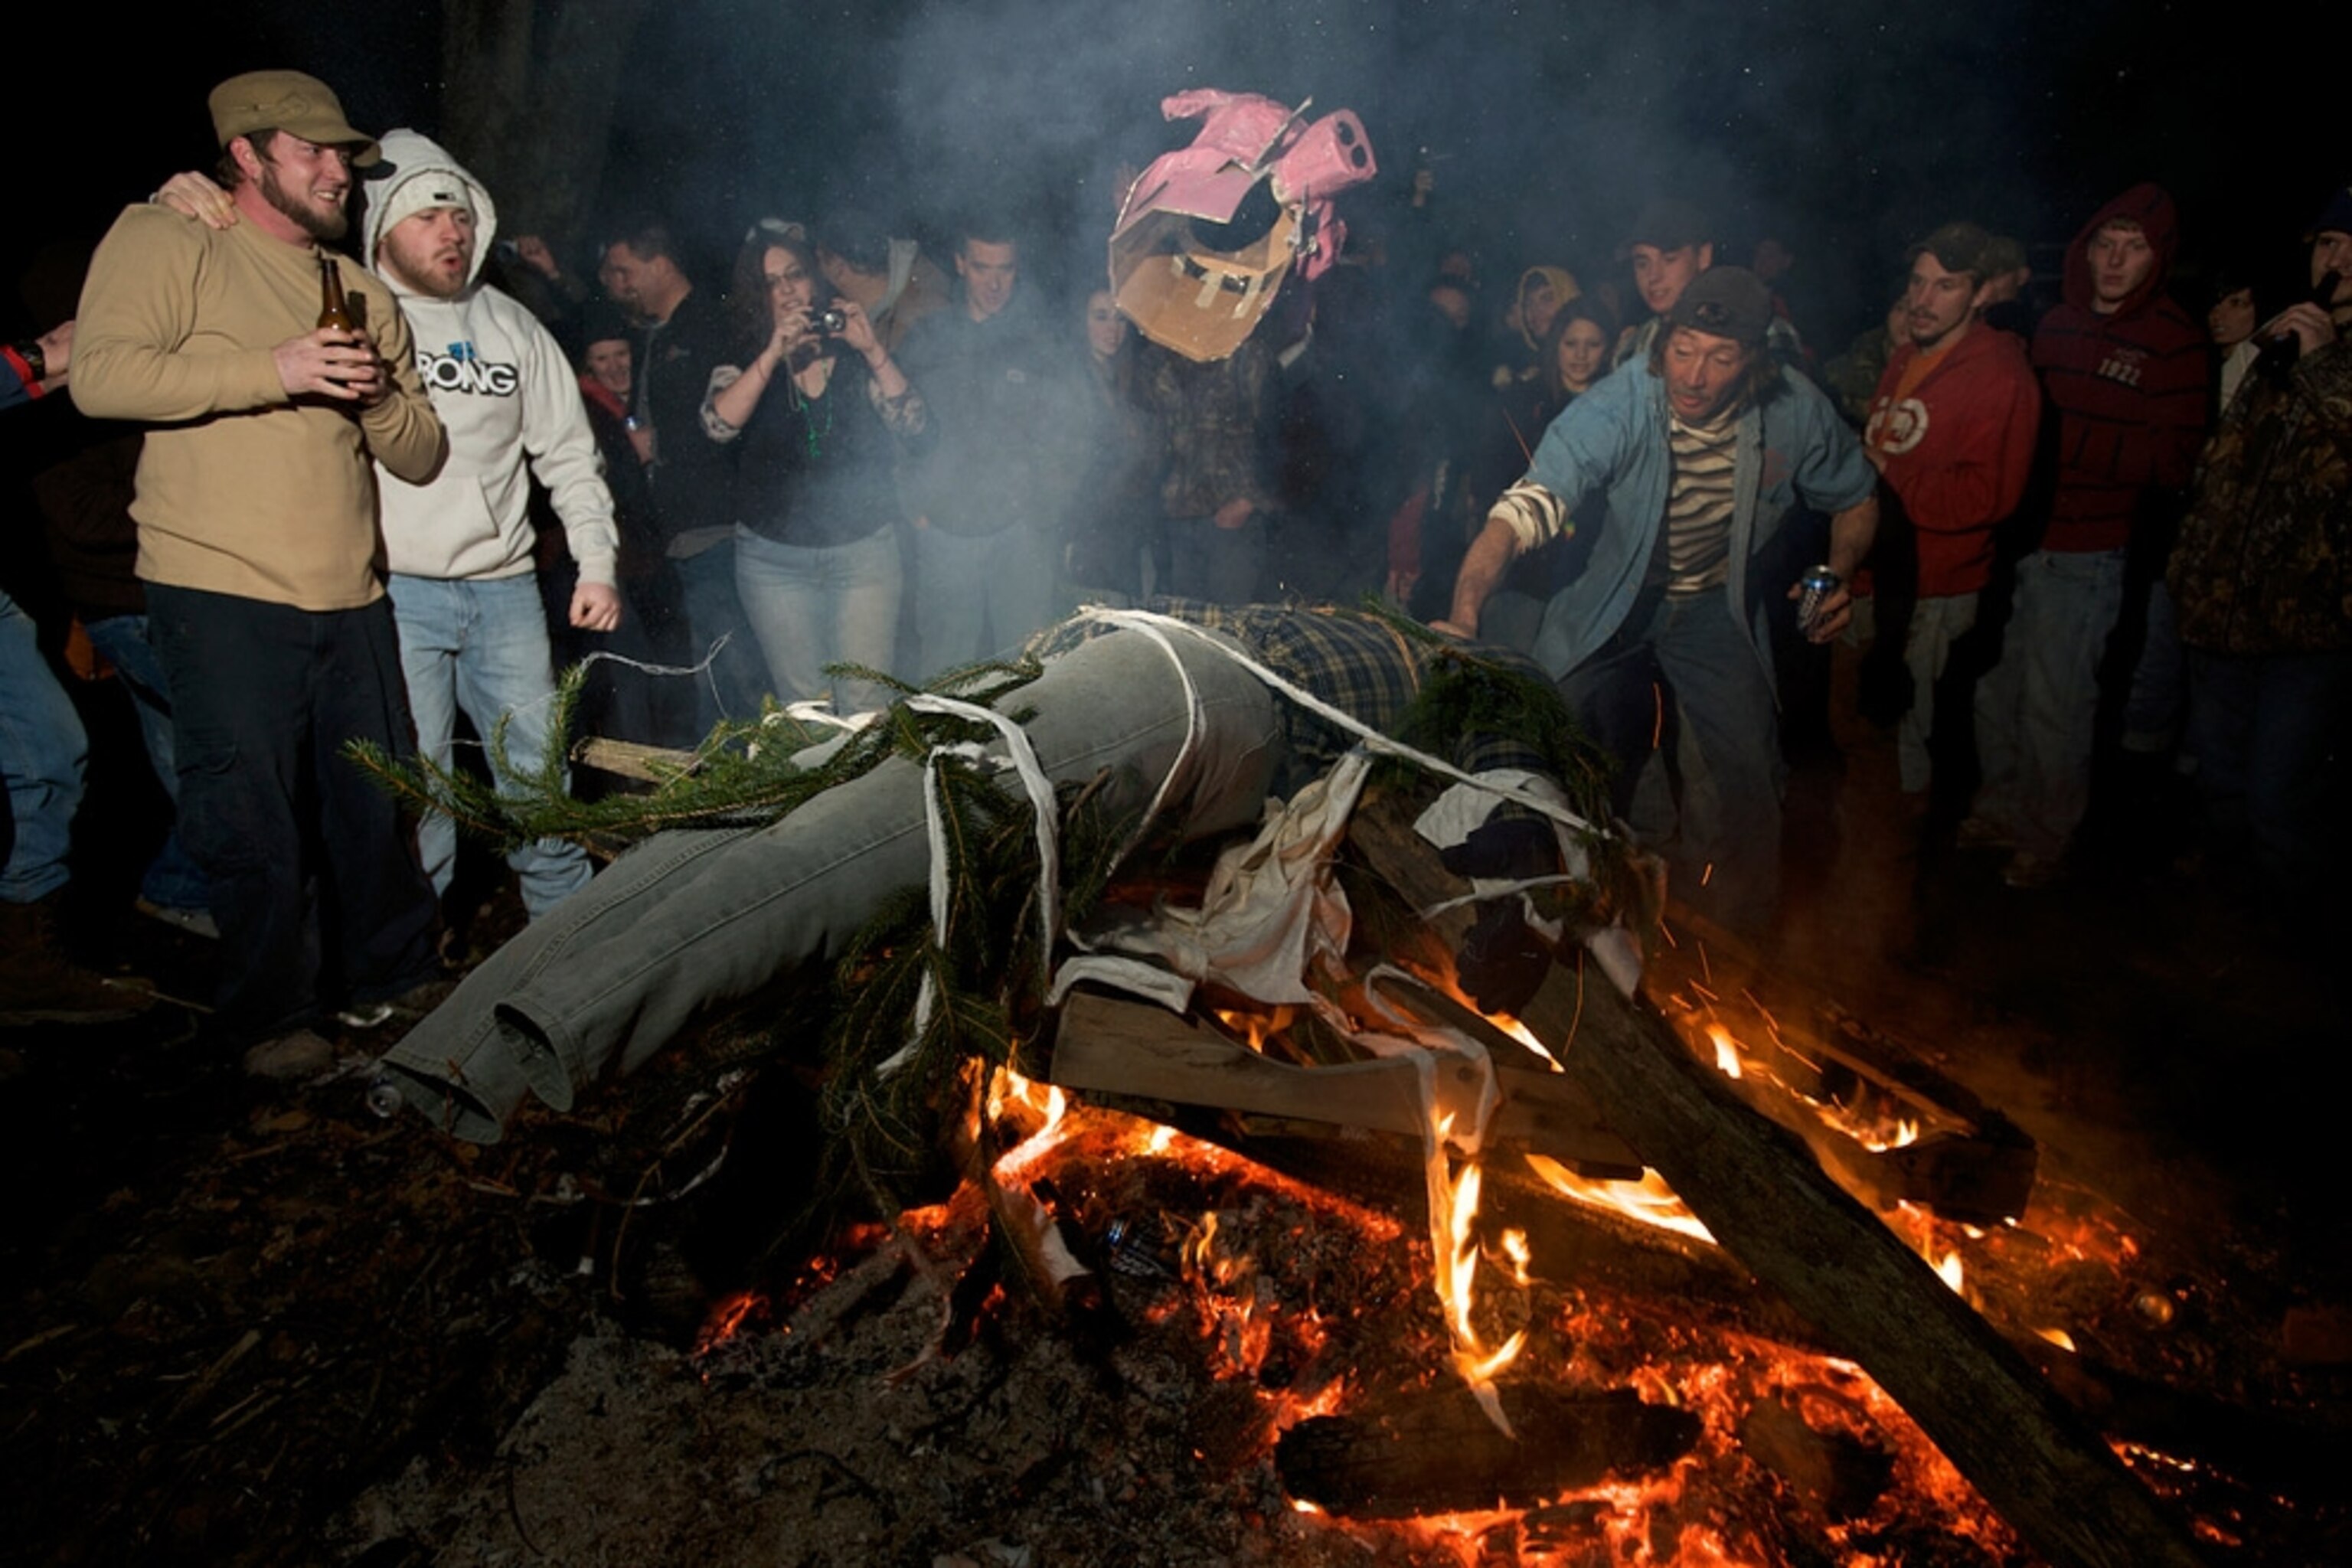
(41, 753)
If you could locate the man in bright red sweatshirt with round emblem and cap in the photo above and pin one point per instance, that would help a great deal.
(1953, 438)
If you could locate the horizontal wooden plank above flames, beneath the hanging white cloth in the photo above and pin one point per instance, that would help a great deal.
(1140, 1050)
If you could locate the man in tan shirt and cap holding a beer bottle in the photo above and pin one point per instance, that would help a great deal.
(258, 542)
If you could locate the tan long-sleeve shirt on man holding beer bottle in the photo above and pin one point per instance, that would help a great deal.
(243, 490)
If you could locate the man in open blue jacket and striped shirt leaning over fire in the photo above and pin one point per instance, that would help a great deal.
(1697, 453)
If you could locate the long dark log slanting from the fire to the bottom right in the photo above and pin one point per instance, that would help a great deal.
(1772, 1207)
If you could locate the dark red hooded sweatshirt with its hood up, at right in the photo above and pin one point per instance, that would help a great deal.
(2130, 387)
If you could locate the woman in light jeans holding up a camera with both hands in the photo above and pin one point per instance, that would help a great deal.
(817, 417)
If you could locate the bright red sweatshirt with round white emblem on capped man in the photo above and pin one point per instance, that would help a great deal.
(1960, 448)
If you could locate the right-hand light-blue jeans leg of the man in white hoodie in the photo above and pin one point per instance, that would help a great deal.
(505, 676)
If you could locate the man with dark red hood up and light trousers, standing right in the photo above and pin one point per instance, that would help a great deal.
(2125, 370)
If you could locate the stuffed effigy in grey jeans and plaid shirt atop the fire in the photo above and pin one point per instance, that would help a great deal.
(1191, 718)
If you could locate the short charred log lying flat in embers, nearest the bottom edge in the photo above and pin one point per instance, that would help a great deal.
(1438, 1454)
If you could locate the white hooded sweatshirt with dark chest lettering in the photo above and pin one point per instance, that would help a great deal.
(507, 396)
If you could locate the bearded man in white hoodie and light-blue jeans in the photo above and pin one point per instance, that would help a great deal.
(460, 547)
